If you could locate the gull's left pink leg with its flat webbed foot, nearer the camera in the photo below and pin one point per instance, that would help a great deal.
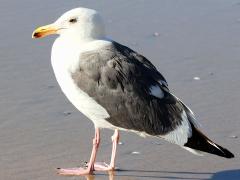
(90, 168)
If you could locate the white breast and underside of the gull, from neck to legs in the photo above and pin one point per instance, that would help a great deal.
(65, 60)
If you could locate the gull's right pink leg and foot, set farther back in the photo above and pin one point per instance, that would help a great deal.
(102, 166)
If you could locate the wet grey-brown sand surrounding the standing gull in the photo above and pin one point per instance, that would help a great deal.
(194, 44)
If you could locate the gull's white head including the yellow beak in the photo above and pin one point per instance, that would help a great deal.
(77, 24)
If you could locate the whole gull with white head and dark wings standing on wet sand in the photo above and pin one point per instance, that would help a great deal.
(117, 88)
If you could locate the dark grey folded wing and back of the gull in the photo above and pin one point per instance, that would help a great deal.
(122, 81)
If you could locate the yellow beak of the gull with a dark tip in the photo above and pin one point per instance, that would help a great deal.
(44, 31)
